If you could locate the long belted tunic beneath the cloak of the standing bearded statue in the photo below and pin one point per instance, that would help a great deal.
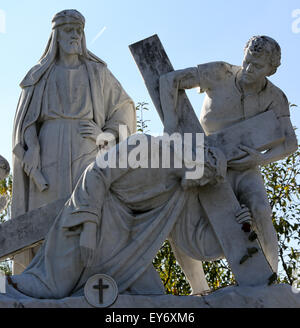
(64, 152)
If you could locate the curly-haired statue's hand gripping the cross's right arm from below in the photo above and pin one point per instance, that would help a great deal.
(251, 159)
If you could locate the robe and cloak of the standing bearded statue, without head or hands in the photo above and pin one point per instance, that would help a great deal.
(56, 104)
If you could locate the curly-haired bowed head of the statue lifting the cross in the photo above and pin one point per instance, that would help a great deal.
(262, 56)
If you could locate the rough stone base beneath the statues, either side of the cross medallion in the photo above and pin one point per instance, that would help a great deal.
(275, 296)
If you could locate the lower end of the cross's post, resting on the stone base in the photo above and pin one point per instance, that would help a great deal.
(220, 206)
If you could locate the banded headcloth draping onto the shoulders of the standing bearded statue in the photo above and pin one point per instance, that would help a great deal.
(49, 55)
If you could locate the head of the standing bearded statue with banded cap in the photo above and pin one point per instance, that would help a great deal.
(70, 31)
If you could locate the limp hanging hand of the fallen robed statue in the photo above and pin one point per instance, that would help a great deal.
(87, 243)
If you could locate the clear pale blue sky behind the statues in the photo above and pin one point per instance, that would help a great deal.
(192, 32)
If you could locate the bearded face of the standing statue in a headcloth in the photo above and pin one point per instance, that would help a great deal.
(69, 38)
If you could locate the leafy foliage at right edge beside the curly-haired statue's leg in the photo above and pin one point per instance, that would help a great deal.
(282, 184)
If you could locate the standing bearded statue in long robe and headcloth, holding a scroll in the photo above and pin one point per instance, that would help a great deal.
(70, 105)
